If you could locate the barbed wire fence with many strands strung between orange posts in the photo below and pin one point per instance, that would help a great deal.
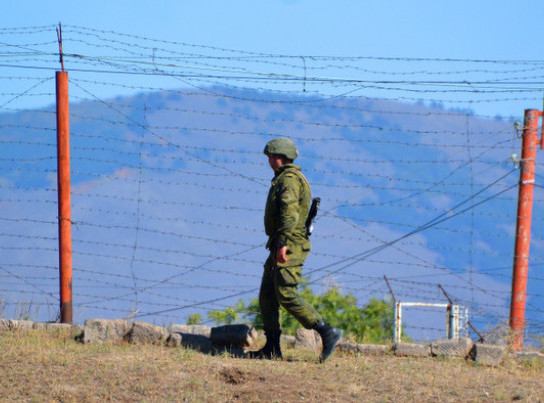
(169, 181)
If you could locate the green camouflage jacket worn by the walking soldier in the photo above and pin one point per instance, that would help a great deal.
(286, 210)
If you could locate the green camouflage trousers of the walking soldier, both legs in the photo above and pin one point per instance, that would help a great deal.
(279, 288)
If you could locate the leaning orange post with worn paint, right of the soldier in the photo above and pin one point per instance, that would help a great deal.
(523, 227)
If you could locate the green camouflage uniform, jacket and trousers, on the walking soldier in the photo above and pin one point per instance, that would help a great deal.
(285, 218)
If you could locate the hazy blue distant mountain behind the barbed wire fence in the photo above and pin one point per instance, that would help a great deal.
(169, 189)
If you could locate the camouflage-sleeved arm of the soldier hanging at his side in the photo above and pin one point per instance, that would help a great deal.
(289, 208)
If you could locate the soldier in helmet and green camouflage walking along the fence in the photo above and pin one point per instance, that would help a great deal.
(288, 241)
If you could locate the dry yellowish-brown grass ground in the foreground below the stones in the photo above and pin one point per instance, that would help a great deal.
(41, 366)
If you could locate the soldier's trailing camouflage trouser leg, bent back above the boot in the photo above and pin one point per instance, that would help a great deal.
(286, 280)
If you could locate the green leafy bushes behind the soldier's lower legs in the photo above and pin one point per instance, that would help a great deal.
(373, 323)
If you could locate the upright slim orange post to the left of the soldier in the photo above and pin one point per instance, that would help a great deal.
(63, 181)
